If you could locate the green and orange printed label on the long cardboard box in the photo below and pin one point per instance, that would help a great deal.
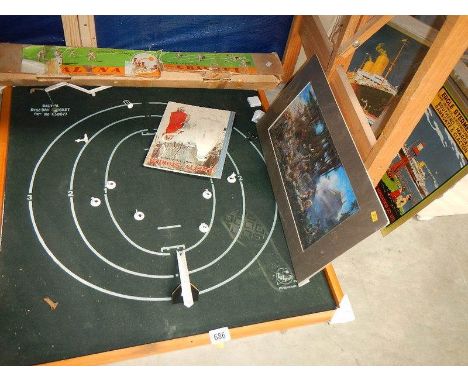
(42, 59)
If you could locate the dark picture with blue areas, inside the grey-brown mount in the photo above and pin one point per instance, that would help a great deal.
(318, 188)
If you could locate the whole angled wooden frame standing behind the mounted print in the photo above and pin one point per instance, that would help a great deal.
(445, 49)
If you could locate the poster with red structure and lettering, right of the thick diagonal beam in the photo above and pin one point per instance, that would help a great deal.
(433, 158)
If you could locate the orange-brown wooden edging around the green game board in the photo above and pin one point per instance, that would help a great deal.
(178, 343)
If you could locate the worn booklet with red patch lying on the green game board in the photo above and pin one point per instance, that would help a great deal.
(192, 140)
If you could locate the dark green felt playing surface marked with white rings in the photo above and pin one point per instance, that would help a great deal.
(102, 266)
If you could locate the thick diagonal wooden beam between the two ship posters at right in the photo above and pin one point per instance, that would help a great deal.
(447, 48)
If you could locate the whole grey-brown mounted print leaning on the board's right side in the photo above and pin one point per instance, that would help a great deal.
(325, 198)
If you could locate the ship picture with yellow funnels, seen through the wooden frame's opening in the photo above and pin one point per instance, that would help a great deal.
(381, 68)
